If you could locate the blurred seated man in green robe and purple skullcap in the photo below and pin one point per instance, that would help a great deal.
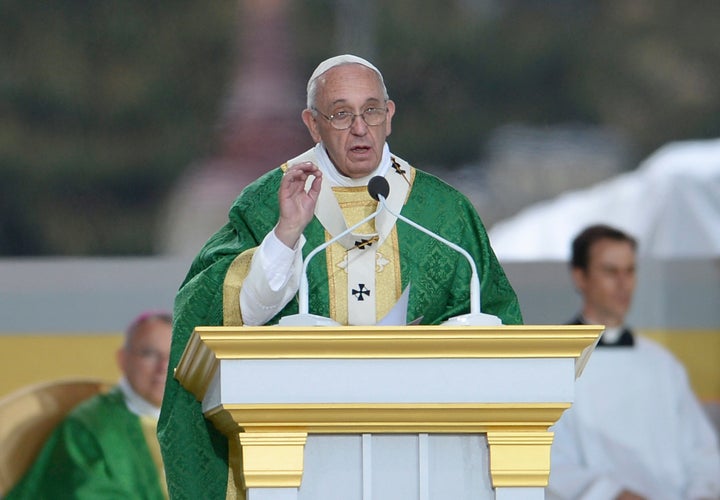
(107, 446)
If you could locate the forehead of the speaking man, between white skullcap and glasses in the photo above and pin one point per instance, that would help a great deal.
(349, 82)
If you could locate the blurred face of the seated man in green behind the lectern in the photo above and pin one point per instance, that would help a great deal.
(144, 360)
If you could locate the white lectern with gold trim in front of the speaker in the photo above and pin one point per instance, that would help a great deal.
(375, 413)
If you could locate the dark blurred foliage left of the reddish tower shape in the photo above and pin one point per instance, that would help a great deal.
(102, 103)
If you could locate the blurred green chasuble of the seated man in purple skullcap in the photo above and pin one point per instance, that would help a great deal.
(98, 452)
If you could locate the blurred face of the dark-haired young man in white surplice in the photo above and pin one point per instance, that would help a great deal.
(608, 283)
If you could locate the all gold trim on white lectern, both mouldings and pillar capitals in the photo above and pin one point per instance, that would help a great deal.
(267, 440)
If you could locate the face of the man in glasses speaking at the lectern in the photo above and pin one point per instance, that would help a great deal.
(352, 88)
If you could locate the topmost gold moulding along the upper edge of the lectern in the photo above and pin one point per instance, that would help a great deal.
(208, 345)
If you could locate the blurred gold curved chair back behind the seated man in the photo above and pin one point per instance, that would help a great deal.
(29, 415)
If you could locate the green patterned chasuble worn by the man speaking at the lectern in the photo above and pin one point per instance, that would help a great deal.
(194, 453)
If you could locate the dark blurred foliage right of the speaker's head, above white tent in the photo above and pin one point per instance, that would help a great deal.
(459, 69)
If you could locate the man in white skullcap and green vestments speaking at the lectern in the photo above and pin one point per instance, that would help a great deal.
(248, 272)
